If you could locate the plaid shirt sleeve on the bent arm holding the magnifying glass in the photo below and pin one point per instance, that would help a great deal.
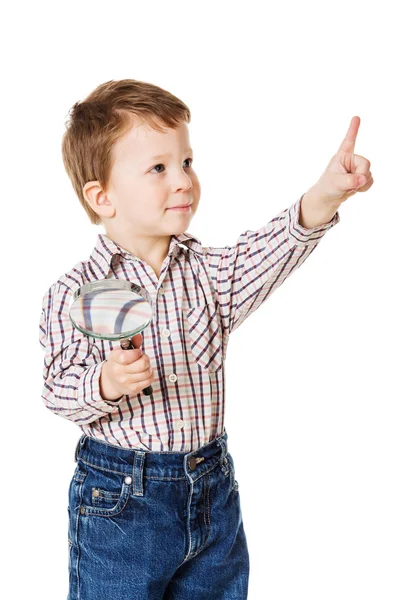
(72, 363)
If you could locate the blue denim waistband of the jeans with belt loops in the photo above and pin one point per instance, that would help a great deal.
(138, 464)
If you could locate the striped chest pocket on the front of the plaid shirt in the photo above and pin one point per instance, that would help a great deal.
(205, 336)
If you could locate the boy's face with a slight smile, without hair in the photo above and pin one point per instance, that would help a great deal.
(151, 173)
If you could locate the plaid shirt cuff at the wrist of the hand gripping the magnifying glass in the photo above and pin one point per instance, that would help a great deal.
(89, 396)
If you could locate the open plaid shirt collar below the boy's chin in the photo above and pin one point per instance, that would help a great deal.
(105, 249)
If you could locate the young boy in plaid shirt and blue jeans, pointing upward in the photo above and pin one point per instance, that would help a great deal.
(154, 507)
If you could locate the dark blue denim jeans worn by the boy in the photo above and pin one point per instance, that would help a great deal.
(155, 525)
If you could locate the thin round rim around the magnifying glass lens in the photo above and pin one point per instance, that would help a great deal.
(111, 284)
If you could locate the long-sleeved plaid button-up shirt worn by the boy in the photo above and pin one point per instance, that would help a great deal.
(200, 298)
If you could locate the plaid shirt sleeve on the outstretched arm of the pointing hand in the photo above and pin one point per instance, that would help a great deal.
(246, 274)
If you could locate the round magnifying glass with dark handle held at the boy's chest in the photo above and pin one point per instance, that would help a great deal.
(112, 309)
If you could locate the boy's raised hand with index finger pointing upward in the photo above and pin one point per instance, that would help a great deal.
(346, 174)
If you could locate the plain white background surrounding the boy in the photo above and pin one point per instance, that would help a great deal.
(312, 376)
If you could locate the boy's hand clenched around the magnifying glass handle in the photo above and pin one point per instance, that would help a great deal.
(125, 371)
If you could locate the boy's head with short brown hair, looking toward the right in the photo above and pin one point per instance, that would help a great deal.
(127, 152)
